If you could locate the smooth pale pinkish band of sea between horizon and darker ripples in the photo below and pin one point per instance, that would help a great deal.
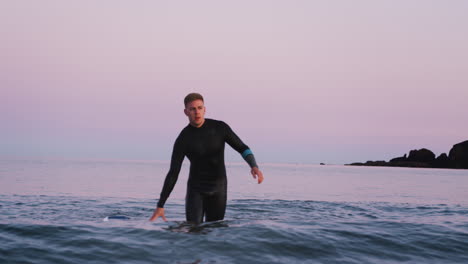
(286, 182)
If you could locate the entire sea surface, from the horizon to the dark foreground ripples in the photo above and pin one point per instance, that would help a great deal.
(87, 211)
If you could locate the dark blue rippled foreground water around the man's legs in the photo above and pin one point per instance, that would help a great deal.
(50, 230)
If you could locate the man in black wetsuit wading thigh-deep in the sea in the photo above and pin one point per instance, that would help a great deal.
(203, 141)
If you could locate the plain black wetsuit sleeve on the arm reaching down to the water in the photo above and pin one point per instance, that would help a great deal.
(171, 178)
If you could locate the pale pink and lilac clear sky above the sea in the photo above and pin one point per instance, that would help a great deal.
(299, 81)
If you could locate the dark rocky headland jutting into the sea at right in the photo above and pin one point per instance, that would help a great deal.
(424, 158)
